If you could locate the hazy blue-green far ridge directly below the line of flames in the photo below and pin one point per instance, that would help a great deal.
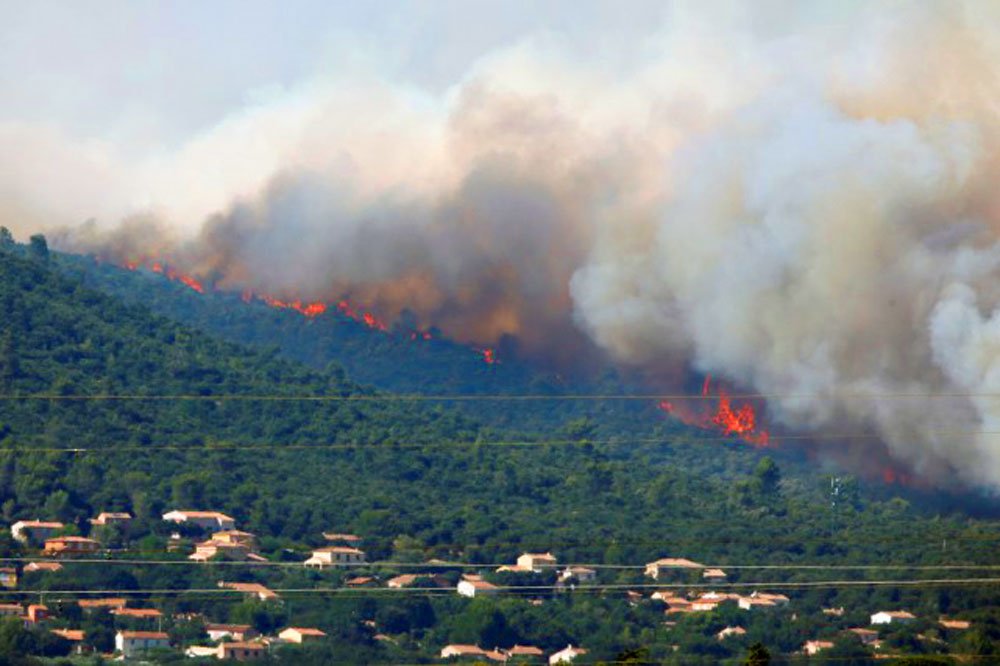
(399, 359)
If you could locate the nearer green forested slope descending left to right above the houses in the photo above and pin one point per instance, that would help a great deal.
(107, 407)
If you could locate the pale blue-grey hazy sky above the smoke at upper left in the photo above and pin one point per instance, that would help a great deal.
(139, 73)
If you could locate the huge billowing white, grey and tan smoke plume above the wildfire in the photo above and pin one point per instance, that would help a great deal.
(805, 205)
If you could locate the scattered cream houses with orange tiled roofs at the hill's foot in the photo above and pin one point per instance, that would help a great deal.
(227, 542)
